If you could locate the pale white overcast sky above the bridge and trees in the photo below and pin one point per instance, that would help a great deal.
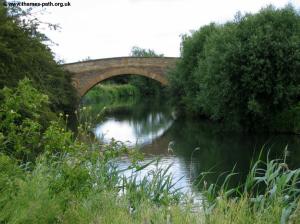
(110, 28)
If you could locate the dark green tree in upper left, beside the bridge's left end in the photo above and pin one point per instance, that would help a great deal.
(24, 54)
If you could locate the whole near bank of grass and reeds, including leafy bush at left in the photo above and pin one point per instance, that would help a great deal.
(48, 175)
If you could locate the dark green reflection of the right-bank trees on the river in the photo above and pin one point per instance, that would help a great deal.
(219, 151)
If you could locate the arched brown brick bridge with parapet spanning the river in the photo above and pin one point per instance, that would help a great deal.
(87, 74)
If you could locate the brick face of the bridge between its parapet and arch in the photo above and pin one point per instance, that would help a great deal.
(83, 82)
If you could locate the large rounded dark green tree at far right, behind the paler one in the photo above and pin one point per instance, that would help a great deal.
(250, 71)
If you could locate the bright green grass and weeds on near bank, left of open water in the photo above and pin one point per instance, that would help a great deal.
(73, 189)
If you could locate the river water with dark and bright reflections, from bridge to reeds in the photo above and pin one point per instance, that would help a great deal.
(190, 146)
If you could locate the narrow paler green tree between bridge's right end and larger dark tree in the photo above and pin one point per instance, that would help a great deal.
(183, 86)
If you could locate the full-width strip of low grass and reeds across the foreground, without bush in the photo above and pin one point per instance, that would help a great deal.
(83, 188)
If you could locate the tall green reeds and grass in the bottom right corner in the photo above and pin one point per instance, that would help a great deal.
(270, 194)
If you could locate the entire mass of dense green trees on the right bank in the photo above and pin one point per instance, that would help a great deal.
(245, 72)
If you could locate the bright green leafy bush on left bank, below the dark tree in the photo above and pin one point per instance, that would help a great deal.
(26, 129)
